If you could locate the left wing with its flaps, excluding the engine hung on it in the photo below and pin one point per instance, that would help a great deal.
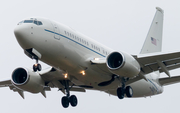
(53, 79)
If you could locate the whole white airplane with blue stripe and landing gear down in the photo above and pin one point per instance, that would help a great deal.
(79, 63)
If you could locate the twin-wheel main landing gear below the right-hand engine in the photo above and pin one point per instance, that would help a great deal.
(124, 90)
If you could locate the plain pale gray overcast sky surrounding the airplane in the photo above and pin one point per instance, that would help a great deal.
(119, 24)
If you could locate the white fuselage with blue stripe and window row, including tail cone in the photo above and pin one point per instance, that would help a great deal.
(68, 50)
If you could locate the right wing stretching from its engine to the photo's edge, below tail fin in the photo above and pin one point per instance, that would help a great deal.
(162, 62)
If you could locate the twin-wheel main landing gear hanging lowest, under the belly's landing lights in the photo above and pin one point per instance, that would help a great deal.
(68, 99)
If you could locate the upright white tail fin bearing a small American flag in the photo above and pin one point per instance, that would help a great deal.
(153, 42)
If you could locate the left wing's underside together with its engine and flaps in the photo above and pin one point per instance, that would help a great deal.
(40, 82)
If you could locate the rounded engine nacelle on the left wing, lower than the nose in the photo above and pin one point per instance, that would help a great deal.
(27, 80)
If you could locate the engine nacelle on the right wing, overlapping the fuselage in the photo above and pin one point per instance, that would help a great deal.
(123, 64)
